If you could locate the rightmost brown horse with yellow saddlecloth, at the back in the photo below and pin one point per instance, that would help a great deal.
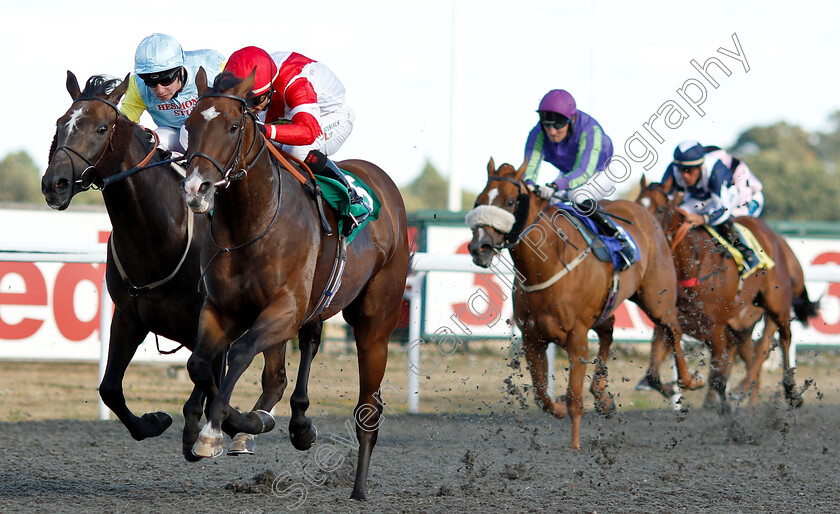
(721, 310)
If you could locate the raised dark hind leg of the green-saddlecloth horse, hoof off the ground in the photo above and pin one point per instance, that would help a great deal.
(301, 431)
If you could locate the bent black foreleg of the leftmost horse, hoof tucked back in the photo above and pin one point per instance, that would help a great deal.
(125, 336)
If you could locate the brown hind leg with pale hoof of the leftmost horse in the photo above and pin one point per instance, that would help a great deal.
(274, 383)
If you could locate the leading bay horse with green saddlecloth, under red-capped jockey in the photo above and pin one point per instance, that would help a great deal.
(269, 261)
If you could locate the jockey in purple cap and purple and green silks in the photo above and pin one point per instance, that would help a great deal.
(574, 143)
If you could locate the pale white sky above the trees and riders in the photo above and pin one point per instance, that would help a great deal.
(458, 83)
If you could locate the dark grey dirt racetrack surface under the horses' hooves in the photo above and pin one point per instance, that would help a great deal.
(772, 459)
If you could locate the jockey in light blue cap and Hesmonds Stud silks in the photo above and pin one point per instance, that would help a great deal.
(163, 84)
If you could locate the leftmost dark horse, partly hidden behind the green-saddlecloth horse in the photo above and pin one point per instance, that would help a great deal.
(153, 267)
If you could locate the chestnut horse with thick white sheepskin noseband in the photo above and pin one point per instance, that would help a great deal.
(561, 290)
